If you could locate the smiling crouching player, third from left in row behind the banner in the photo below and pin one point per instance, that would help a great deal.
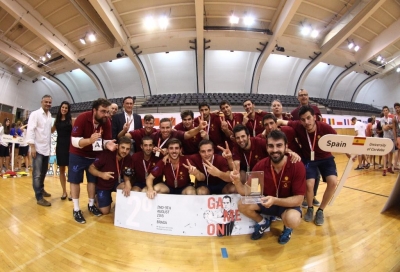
(177, 179)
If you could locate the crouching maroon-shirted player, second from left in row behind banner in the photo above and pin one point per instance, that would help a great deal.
(143, 162)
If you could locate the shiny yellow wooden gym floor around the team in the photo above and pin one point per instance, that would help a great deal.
(355, 236)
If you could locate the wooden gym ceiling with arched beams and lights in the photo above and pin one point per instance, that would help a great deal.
(30, 28)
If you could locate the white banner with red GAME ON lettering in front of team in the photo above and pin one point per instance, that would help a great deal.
(186, 215)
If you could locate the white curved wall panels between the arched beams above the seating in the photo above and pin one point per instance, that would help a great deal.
(225, 71)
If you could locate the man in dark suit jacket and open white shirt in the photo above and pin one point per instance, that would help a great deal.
(126, 117)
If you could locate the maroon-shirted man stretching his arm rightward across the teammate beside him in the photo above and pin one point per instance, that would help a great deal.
(165, 133)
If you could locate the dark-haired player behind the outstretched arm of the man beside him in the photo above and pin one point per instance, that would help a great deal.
(190, 146)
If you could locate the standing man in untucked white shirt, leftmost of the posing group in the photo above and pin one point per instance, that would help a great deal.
(38, 138)
